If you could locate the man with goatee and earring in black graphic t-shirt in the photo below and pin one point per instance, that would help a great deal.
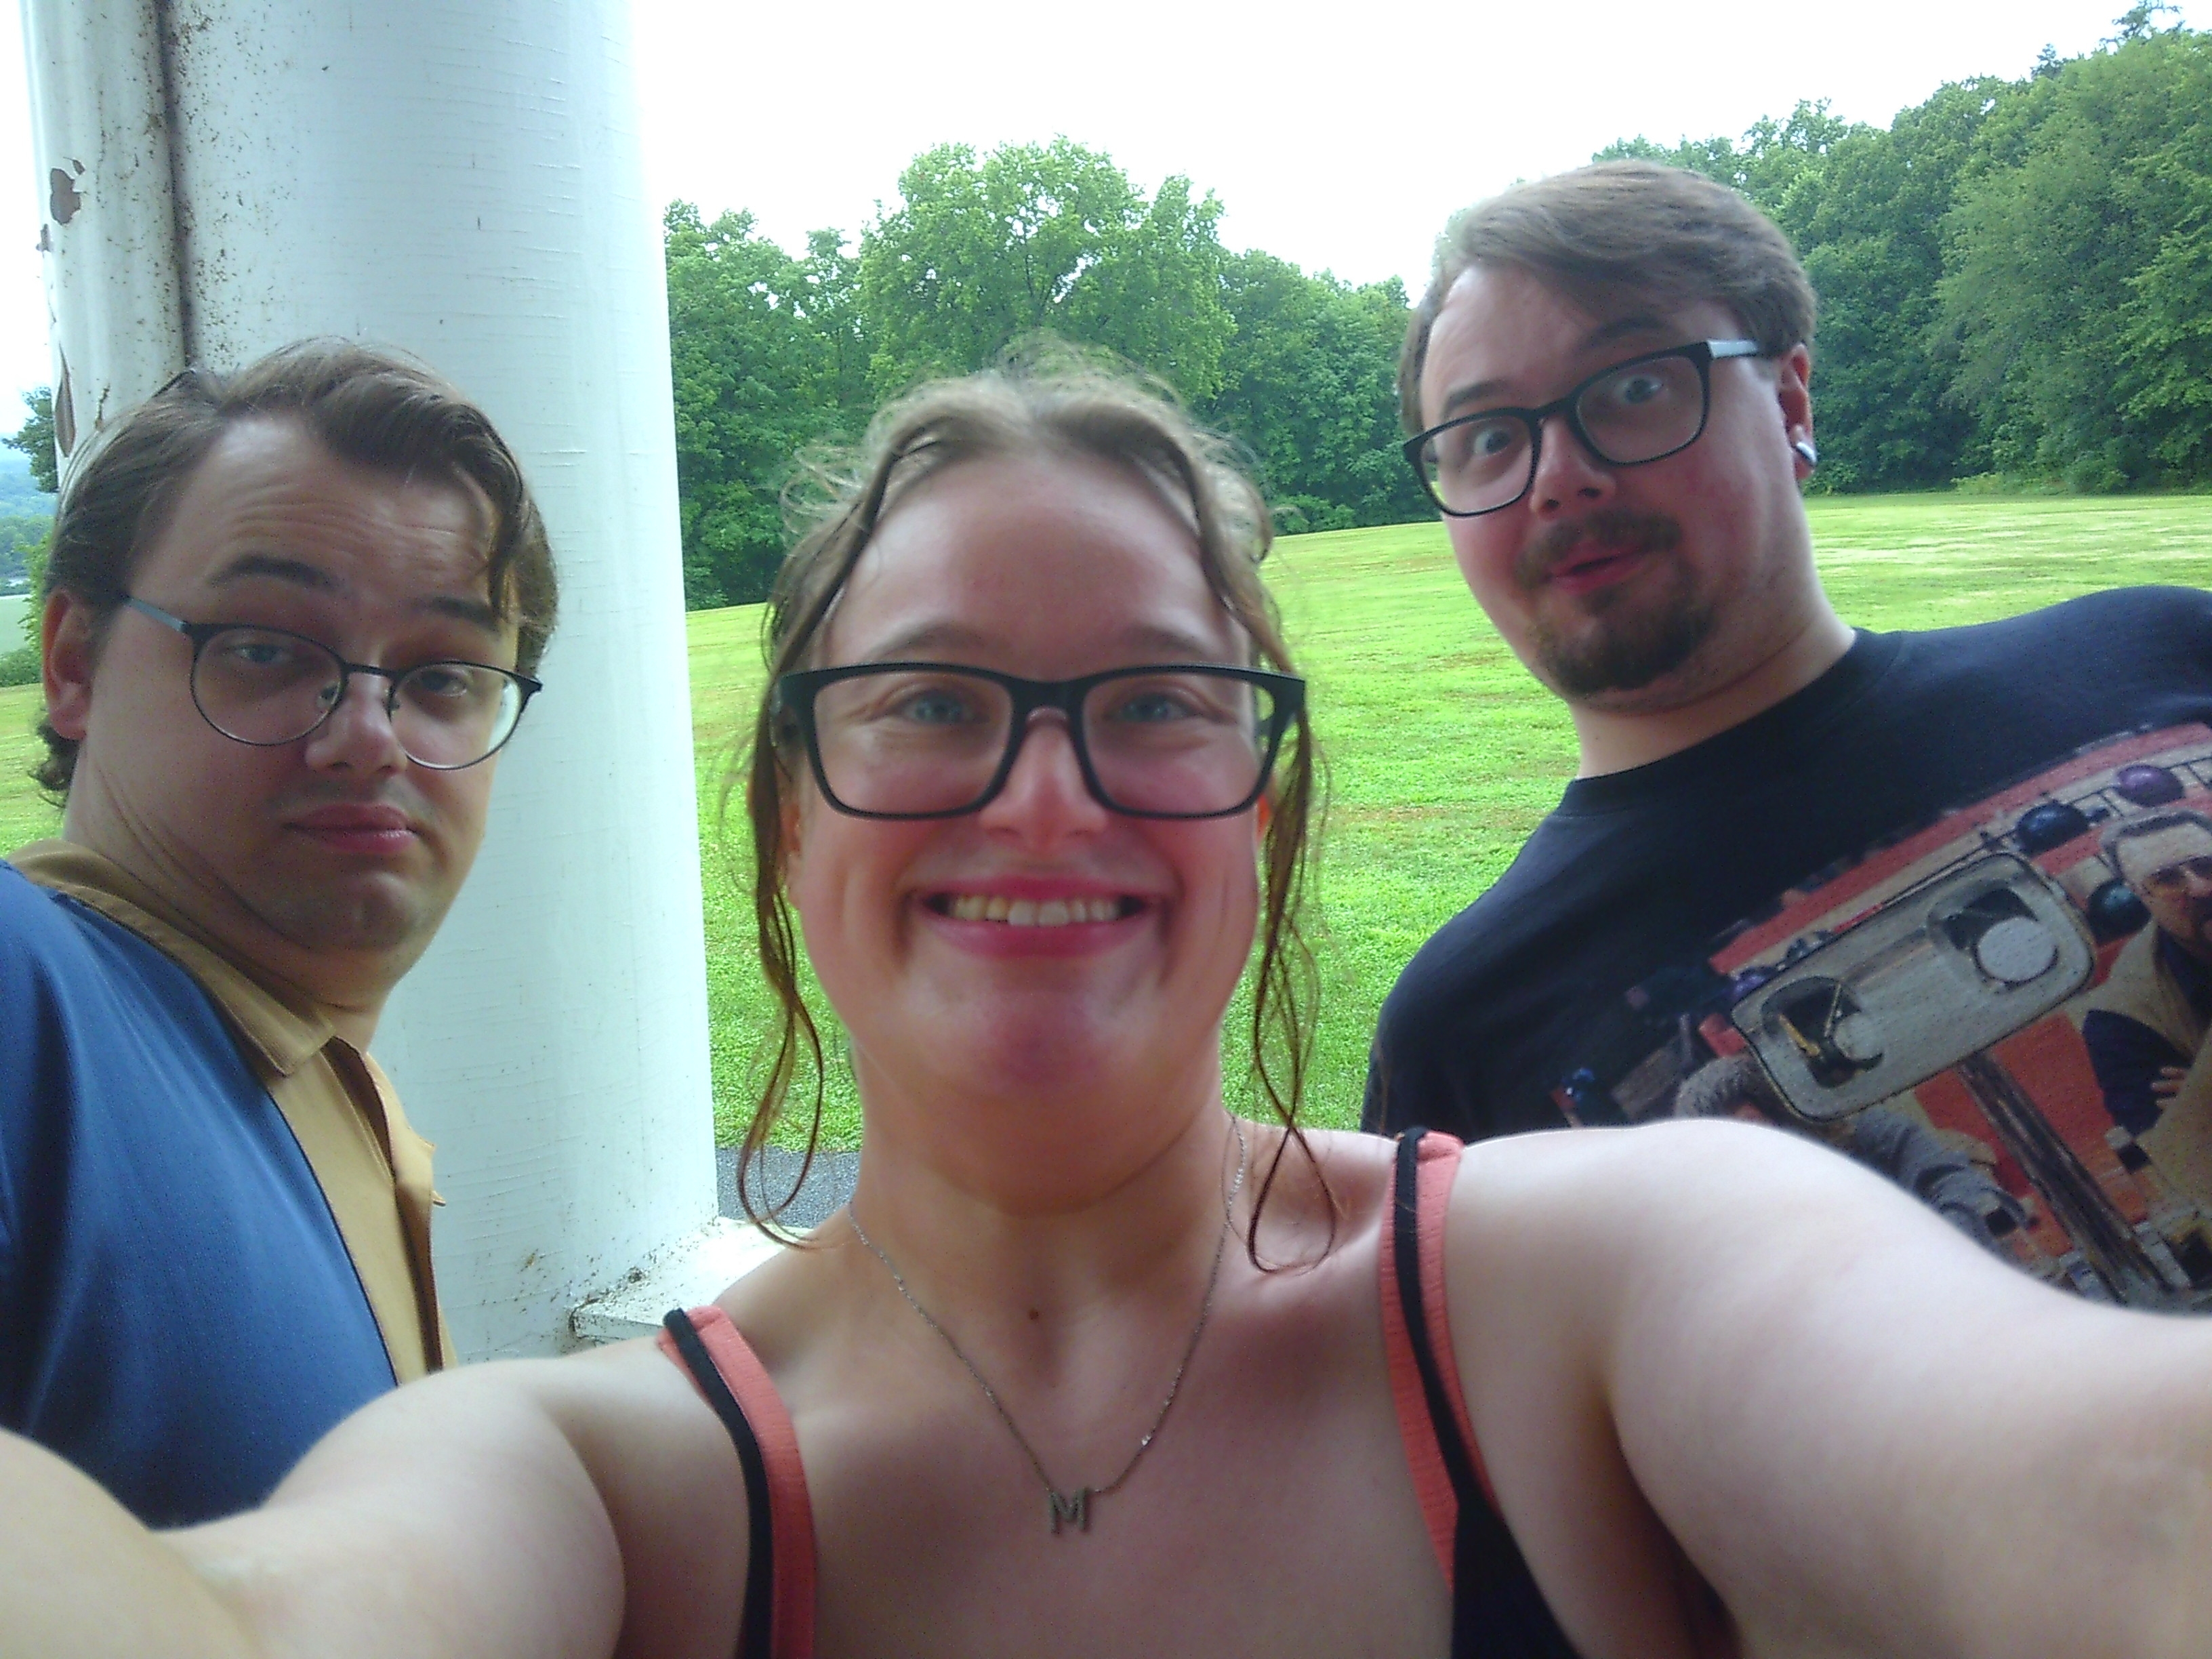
(1859, 868)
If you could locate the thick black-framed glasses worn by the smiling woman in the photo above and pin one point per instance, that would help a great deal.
(928, 740)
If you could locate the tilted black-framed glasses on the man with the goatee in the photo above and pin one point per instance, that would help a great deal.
(1647, 408)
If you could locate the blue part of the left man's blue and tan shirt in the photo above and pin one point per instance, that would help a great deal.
(178, 1311)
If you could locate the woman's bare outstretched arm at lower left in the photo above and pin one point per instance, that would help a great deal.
(547, 1510)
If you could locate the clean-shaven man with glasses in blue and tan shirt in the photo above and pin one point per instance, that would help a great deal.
(289, 623)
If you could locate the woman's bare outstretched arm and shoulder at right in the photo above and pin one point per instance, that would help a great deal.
(1866, 1434)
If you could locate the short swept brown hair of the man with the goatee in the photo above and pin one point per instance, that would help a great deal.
(1623, 229)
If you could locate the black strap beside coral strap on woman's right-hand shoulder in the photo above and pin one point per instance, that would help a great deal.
(1496, 1607)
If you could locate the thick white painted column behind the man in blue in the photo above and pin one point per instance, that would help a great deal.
(463, 180)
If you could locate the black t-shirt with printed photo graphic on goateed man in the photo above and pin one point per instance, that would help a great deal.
(1881, 915)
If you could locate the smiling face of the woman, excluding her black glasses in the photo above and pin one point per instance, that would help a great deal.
(1045, 567)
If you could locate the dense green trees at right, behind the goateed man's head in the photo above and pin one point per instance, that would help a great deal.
(2016, 278)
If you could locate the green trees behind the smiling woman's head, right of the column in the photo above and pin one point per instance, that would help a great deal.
(780, 353)
